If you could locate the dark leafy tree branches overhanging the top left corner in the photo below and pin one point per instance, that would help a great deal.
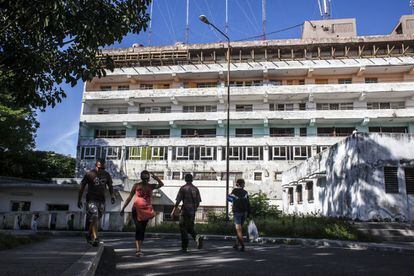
(44, 43)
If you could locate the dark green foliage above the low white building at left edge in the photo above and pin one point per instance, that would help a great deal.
(41, 165)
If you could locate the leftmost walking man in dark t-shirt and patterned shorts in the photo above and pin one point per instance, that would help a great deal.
(97, 180)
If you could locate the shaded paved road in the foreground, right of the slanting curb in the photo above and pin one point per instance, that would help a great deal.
(218, 258)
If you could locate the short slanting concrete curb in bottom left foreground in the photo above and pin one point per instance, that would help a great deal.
(87, 264)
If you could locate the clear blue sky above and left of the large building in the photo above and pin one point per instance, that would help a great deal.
(59, 126)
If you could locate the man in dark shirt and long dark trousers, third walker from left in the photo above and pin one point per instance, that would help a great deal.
(190, 196)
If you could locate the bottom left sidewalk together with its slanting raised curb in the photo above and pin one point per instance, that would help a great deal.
(53, 256)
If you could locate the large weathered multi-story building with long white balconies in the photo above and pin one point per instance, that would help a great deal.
(164, 108)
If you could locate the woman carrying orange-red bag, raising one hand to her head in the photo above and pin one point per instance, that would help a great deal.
(142, 210)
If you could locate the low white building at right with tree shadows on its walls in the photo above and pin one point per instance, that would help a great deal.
(366, 176)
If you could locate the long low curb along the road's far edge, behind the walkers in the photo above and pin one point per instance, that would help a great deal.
(383, 247)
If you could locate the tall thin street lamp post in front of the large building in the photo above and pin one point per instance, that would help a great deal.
(204, 19)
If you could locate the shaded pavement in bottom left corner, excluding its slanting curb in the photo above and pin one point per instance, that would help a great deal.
(49, 257)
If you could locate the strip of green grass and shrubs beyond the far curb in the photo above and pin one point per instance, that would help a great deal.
(313, 227)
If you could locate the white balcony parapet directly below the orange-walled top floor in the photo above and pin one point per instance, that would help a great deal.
(295, 92)
